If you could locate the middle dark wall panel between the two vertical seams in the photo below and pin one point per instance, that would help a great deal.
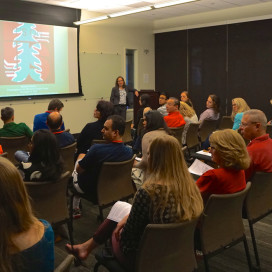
(207, 65)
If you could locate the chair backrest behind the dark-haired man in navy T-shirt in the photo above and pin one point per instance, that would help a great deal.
(114, 182)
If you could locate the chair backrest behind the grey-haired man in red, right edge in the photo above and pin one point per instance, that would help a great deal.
(258, 202)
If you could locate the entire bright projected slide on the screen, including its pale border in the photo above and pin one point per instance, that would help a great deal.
(37, 59)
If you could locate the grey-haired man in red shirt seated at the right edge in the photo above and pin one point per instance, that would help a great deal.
(253, 128)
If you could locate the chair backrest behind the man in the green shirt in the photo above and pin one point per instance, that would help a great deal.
(12, 144)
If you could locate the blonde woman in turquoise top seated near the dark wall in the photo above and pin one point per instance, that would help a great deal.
(239, 106)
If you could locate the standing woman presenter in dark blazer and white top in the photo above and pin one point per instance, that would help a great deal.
(122, 96)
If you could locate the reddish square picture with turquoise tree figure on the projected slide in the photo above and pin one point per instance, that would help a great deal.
(28, 53)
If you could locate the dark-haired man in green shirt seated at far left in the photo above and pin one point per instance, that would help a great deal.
(11, 129)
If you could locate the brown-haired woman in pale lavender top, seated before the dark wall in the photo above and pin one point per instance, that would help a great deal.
(213, 109)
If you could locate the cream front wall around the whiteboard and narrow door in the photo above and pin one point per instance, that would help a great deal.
(109, 38)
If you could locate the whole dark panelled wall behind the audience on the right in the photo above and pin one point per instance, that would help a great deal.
(230, 60)
